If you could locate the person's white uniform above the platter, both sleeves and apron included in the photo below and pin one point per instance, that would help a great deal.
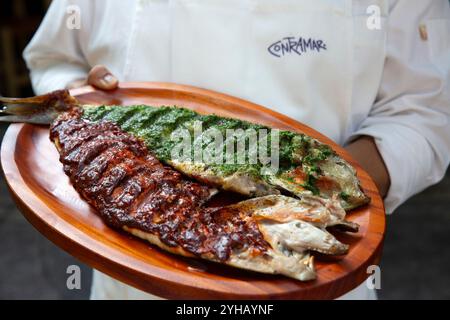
(346, 68)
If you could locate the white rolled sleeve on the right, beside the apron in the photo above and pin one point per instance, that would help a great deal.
(410, 119)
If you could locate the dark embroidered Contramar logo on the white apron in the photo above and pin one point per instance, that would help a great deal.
(300, 45)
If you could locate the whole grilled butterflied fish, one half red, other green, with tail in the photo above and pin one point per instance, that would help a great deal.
(116, 158)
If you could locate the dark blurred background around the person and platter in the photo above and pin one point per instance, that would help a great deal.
(416, 256)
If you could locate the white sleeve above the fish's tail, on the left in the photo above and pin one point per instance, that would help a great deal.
(54, 56)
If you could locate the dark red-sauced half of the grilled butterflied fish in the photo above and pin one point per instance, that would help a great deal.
(131, 190)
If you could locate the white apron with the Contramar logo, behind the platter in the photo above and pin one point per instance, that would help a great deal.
(294, 56)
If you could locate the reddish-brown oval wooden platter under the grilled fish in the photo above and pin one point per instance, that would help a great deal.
(43, 193)
